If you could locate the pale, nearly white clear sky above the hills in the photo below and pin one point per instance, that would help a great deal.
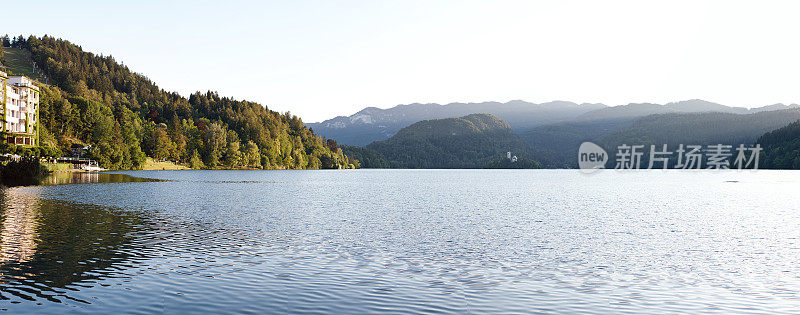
(320, 59)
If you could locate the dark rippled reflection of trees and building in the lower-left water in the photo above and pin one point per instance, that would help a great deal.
(49, 245)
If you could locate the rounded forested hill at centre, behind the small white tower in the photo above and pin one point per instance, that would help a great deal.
(467, 142)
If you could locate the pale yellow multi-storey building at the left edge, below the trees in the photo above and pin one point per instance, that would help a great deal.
(20, 105)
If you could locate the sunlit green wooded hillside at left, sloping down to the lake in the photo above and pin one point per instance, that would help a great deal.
(93, 99)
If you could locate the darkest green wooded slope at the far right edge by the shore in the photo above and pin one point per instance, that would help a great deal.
(781, 148)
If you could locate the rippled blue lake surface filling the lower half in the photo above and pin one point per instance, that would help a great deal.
(405, 241)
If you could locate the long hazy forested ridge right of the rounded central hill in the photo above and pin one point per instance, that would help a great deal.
(556, 145)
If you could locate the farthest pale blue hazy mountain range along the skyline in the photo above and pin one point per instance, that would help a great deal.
(375, 124)
